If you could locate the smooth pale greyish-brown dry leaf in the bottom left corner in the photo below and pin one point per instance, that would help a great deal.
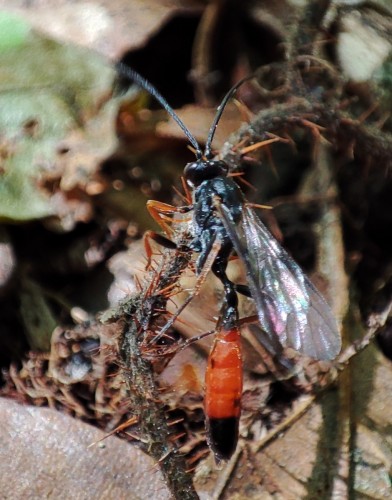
(46, 454)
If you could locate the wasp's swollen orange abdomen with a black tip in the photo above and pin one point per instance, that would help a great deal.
(223, 392)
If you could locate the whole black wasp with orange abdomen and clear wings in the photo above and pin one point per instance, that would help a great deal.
(291, 311)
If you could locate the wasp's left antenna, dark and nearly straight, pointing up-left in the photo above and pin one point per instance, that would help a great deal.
(133, 75)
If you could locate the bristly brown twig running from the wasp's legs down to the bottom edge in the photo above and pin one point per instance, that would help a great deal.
(140, 311)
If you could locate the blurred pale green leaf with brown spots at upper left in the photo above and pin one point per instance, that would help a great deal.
(47, 90)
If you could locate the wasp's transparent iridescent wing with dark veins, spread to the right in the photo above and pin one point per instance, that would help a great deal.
(290, 309)
